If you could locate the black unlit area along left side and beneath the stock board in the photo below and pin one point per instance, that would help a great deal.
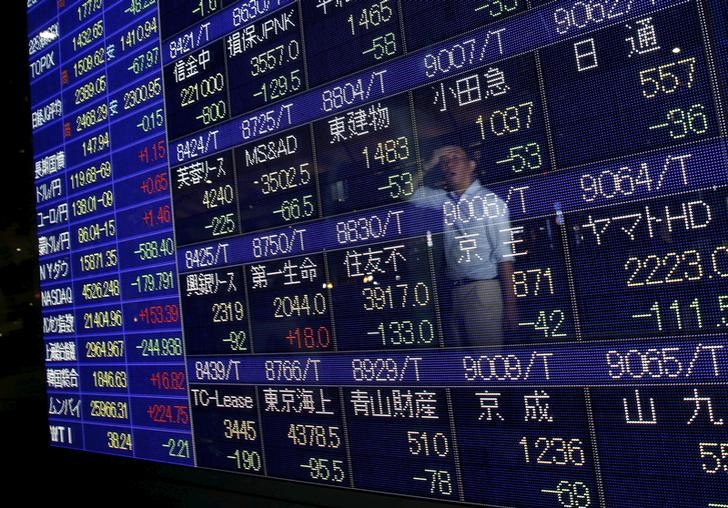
(38, 472)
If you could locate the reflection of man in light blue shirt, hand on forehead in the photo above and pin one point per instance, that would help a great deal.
(477, 253)
